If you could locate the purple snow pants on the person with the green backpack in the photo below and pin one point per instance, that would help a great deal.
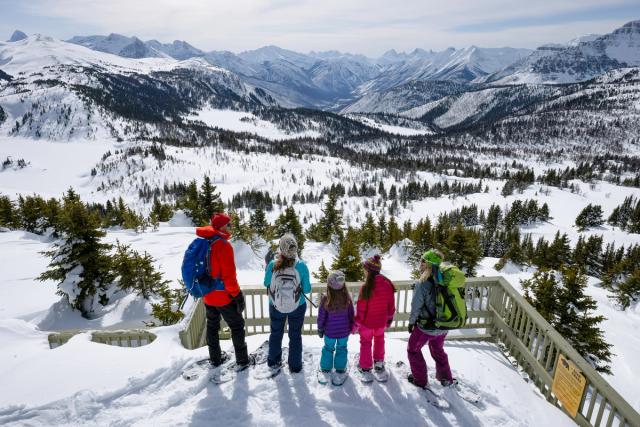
(417, 340)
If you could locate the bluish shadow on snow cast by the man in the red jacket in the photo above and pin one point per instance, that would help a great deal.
(217, 406)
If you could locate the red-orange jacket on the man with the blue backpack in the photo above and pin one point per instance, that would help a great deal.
(222, 265)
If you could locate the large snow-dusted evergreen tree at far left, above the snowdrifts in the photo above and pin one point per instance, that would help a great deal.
(80, 262)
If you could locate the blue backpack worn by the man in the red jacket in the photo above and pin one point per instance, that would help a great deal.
(196, 268)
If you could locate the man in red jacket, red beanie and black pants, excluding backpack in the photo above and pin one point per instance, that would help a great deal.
(228, 303)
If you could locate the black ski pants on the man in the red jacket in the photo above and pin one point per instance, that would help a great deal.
(235, 321)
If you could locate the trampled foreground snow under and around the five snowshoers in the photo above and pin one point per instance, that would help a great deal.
(143, 386)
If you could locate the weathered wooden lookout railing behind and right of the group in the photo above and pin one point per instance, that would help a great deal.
(497, 312)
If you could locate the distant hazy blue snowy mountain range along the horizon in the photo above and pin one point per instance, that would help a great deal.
(395, 81)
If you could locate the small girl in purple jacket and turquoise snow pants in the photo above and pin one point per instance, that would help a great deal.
(335, 323)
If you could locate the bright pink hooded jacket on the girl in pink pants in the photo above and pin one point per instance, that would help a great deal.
(379, 309)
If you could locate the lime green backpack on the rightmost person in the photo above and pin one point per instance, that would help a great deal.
(451, 308)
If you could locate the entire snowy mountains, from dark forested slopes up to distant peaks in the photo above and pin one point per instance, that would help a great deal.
(103, 84)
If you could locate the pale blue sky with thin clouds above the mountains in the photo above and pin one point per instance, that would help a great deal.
(360, 26)
